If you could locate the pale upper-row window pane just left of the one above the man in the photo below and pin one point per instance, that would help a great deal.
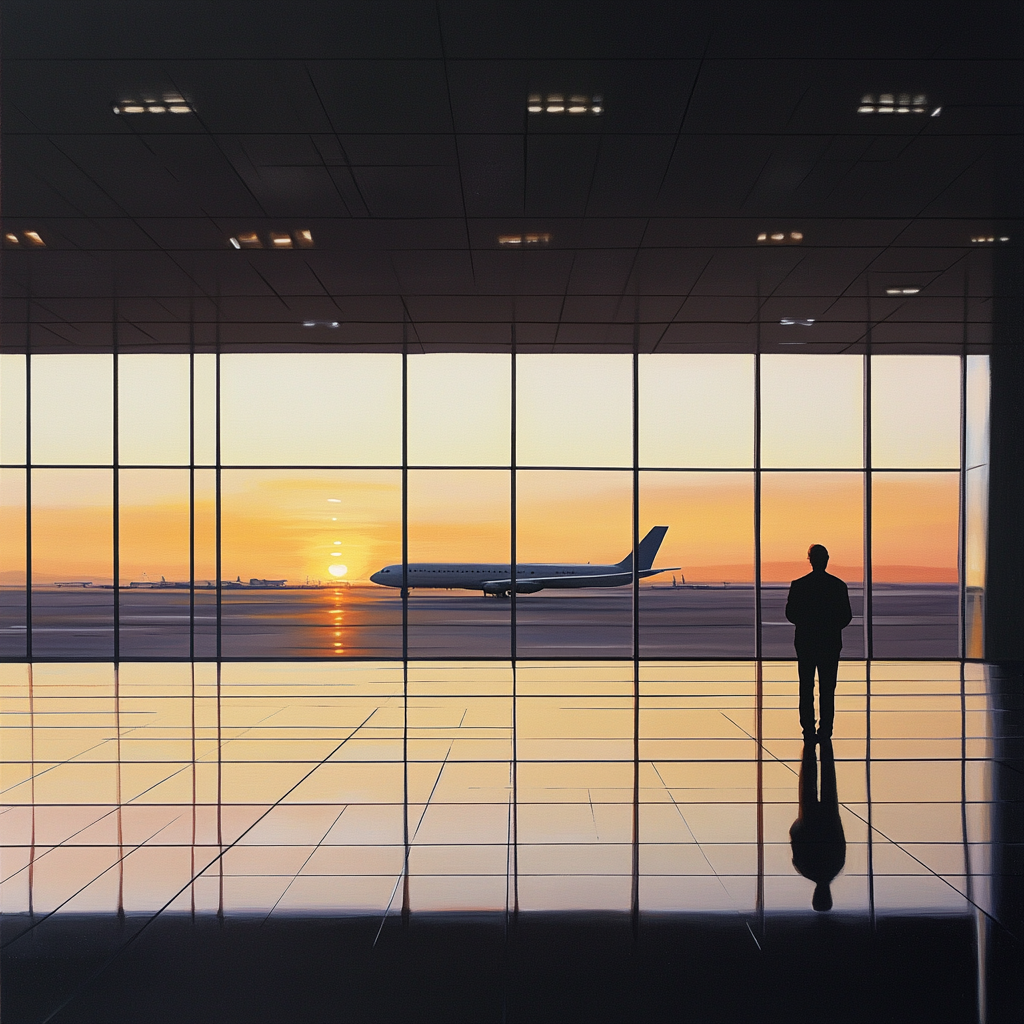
(697, 411)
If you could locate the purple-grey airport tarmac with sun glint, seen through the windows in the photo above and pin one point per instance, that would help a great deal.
(913, 621)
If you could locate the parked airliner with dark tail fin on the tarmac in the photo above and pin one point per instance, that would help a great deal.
(496, 580)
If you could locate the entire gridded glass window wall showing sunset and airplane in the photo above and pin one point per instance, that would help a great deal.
(291, 488)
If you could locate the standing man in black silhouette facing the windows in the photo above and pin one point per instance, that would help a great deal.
(820, 607)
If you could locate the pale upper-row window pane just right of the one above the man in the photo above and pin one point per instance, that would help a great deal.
(916, 412)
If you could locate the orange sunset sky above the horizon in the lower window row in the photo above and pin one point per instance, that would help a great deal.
(295, 524)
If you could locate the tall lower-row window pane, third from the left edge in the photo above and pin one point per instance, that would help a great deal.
(153, 531)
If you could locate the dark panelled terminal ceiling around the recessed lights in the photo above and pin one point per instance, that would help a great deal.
(408, 146)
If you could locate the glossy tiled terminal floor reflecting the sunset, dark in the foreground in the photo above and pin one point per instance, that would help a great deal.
(509, 839)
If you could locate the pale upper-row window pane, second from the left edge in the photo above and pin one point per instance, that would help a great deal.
(72, 409)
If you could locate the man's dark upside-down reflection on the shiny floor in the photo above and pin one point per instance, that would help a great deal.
(817, 837)
